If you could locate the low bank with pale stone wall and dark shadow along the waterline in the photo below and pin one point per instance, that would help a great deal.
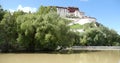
(73, 49)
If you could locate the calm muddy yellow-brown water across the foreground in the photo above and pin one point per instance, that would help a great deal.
(90, 57)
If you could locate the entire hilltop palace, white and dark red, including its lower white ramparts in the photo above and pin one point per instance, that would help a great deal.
(73, 13)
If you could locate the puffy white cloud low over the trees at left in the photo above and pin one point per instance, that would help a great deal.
(25, 9)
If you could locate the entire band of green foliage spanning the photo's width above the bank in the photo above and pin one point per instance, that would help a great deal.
(46, 31)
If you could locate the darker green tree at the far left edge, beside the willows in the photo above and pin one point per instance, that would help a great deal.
(8, 32)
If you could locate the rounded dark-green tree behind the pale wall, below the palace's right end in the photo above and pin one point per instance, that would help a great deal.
(93, 37)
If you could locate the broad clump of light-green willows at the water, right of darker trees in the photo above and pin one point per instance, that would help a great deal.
(43, 32)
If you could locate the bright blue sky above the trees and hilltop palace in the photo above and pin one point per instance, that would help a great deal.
(106, 12)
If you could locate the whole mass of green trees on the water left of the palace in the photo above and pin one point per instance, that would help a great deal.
(34, 31)
